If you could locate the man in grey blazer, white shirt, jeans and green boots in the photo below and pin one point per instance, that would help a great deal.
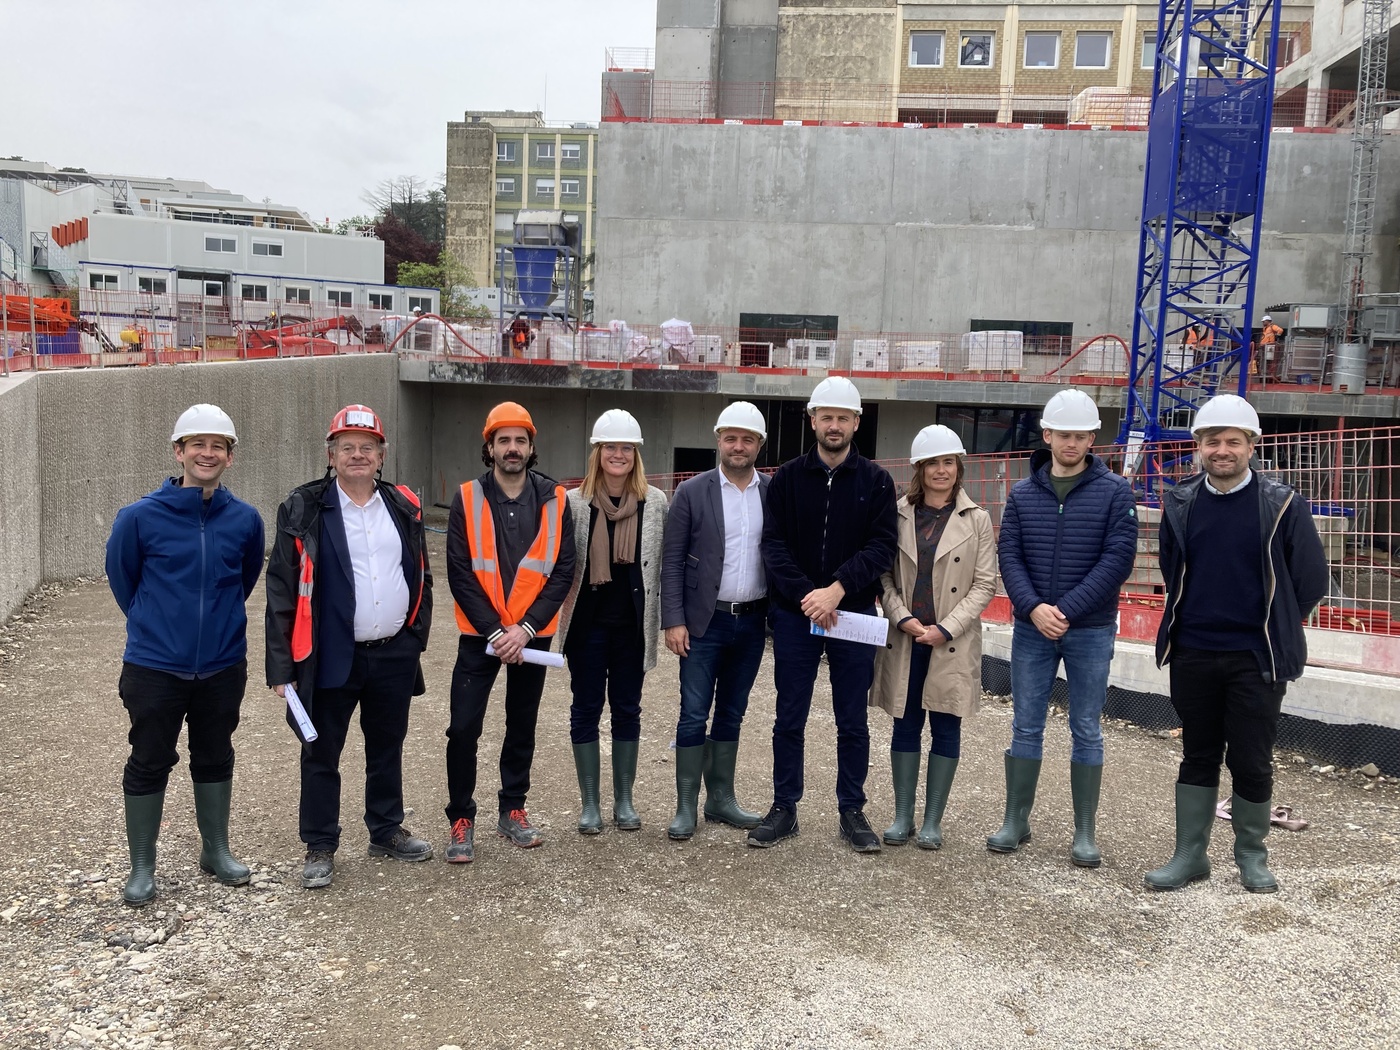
(713, 607)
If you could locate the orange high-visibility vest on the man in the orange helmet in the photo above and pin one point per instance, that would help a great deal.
(533, 572)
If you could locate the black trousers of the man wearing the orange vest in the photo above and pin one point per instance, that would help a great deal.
(472, 681)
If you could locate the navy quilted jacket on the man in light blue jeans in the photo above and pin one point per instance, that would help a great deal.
(1074, 556)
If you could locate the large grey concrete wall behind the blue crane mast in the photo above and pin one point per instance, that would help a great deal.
(920, 232)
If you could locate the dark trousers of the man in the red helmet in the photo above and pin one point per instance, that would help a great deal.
(381, 685)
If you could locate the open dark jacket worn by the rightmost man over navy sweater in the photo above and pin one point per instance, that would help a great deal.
(1296, 570)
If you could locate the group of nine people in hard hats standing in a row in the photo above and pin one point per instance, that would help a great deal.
(612, 569)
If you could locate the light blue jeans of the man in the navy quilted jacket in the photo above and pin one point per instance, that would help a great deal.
(1087, 653)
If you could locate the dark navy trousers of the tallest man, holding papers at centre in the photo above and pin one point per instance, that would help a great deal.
(797, 656)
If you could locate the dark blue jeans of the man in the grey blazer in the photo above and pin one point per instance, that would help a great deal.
(720, 670)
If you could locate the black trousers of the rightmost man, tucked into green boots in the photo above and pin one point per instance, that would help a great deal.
(1228, 713)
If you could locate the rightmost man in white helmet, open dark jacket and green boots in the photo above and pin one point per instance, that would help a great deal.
(1244, 569)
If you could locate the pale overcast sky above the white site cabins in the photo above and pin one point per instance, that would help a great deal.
(304, 101)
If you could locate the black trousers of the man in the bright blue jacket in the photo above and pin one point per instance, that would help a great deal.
(159, 703)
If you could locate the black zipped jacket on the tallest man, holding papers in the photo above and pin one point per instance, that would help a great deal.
(820, 528)
